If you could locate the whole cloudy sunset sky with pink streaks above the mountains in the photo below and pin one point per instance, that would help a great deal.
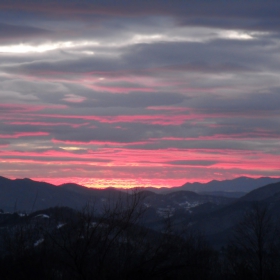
(139, 93)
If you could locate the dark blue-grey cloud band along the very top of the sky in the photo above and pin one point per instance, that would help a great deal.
(194, 9)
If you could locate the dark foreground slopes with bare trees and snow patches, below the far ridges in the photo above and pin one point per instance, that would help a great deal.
(182, 235)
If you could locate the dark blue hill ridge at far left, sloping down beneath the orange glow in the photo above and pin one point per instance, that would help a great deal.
(28, 195)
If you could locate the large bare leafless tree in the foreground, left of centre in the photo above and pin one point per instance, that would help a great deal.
(95, 239)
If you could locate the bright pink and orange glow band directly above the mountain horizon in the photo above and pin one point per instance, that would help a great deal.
(118, 167)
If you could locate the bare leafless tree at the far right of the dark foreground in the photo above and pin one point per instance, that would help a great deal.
(249, 252)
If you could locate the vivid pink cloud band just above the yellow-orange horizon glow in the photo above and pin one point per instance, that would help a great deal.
(119, 157)
